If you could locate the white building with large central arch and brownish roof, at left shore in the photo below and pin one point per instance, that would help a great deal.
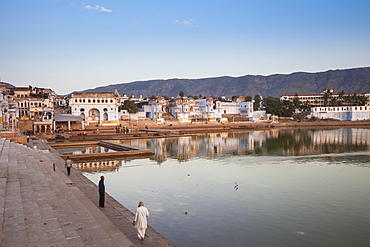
(96, 108)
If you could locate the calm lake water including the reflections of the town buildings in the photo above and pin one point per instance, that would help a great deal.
(261, 188)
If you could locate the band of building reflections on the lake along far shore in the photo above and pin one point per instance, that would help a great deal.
(257, 143)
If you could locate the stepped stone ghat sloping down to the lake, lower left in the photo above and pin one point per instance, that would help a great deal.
(43, 207)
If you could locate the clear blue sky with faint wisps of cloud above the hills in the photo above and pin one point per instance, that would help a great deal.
(69, 45)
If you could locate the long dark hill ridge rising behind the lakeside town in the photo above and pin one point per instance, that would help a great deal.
(349, 80)
